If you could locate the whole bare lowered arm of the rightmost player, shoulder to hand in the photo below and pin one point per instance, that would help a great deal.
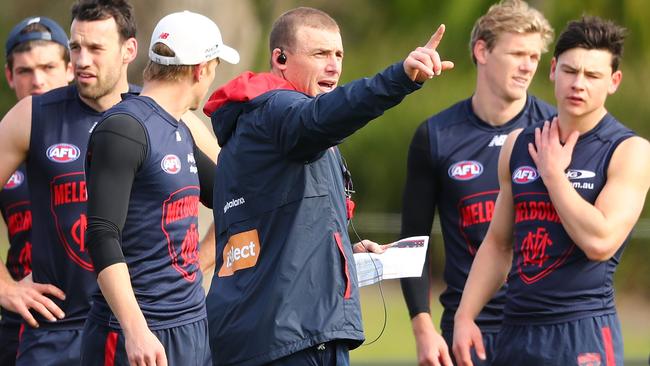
(490, 267)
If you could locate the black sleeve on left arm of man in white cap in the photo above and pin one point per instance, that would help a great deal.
(116, 150)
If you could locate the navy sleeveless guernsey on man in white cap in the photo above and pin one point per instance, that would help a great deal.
(160, 237)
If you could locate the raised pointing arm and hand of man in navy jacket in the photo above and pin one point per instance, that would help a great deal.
(307, 126)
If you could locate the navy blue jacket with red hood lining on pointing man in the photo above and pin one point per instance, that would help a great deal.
(285, 278)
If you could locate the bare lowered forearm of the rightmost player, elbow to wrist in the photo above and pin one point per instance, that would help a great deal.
(488, 273)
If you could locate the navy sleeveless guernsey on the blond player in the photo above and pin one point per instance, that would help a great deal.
(465, 151)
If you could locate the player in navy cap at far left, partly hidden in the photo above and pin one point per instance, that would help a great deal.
(38, 60)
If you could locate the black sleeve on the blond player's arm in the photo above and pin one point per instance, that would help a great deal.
(417, 216)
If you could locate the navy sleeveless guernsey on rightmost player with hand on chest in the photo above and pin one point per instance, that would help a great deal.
(551, 279)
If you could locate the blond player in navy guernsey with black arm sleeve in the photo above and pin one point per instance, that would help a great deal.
(452, 166)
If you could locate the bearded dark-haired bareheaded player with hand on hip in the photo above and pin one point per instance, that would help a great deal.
(52, 131)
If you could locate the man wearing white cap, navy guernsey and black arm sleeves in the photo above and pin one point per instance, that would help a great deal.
(145, 180)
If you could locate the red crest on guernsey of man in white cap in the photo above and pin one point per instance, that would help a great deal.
(180, 226)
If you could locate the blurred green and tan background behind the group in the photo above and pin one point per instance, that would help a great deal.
(375, 34)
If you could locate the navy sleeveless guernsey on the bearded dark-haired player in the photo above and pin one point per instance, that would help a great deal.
(61, 125)
